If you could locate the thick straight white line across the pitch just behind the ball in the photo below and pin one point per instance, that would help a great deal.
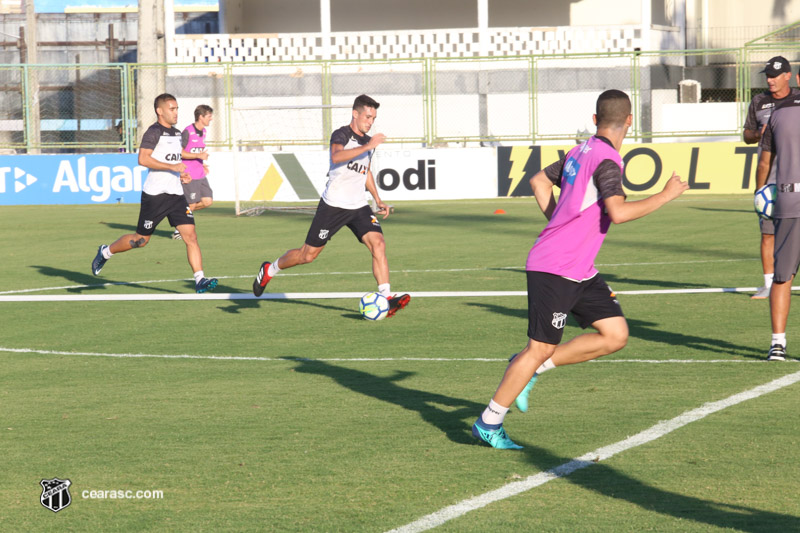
(320, 295)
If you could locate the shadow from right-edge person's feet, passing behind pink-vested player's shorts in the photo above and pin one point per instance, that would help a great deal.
(648, 331)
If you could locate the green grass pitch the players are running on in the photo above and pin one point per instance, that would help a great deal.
(327, 422)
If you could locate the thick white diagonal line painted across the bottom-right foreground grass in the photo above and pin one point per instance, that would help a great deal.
(655, 432)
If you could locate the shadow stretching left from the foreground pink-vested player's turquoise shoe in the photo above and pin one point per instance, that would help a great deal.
(450, 420)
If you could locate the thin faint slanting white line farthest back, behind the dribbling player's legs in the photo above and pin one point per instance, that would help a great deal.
(407, 271)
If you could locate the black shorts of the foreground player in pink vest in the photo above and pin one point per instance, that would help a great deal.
(551, 297)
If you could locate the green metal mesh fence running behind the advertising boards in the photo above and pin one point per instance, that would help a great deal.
(427, 102)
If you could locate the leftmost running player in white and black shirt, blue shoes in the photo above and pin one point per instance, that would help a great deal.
(162, 194)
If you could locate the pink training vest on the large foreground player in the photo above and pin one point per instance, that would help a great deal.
(568, 245)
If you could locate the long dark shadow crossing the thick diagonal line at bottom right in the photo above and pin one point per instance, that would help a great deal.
(611, 483)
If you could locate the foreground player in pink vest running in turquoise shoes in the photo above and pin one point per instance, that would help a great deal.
(561, 275)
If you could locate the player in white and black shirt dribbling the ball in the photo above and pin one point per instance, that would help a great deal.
(344, 204)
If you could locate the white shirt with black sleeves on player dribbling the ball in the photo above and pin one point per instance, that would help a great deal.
(347, 180)
